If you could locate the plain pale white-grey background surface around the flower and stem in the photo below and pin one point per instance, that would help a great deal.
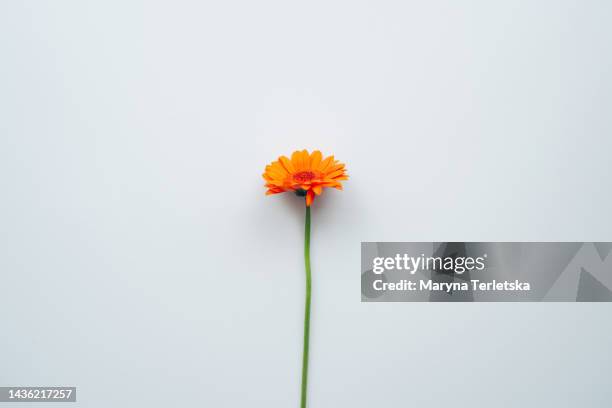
(142, 263)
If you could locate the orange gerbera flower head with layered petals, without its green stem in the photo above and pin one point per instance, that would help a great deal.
(305, 174)
